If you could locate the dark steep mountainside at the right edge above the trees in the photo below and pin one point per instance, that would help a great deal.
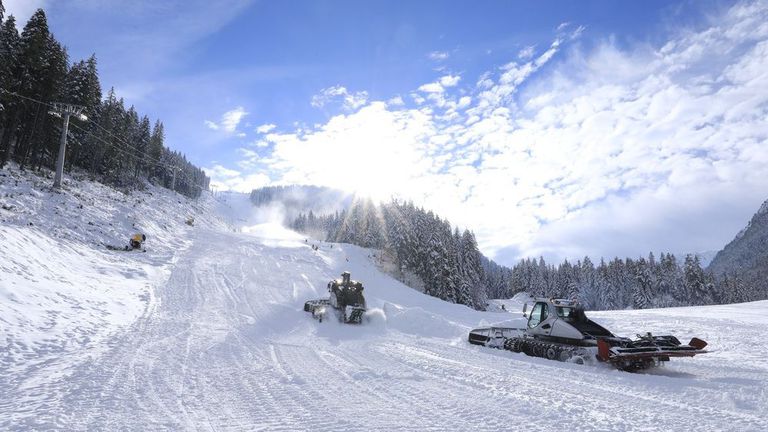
(747, 255)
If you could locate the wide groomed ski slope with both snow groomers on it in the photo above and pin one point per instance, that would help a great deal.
(222, 343)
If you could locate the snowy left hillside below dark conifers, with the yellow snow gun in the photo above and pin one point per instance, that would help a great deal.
(61, 290)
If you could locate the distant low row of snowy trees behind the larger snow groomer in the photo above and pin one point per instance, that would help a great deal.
(621, 283)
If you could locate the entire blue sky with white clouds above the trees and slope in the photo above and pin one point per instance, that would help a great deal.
(560, 129)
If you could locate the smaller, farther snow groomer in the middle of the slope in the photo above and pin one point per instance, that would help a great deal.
(346, 300)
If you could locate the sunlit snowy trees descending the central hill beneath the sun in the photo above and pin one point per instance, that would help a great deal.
(446, 261)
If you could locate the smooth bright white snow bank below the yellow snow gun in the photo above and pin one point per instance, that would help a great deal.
(56, 297)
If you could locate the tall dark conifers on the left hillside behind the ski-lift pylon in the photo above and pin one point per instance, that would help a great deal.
(116, 144)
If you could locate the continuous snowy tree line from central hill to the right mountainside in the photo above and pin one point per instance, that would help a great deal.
(448, 264)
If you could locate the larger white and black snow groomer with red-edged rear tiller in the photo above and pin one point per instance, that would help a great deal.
(559, 330)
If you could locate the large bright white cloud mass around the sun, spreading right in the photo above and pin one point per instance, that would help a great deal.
(611, 151)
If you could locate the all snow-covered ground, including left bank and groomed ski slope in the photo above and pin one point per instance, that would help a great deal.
(207, 332)
